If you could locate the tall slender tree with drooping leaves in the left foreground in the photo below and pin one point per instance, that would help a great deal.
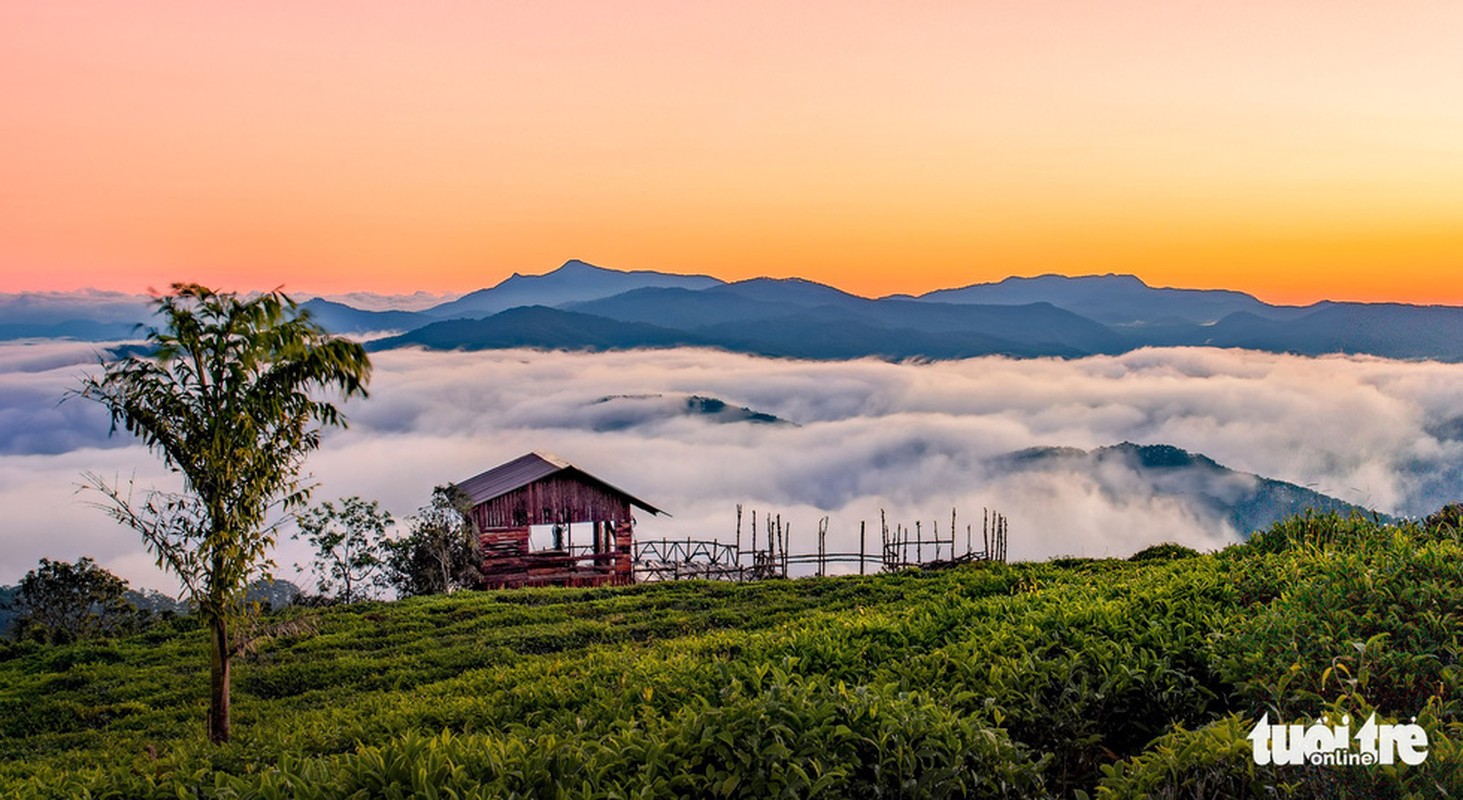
(227, 399)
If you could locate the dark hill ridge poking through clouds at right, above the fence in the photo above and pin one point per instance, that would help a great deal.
(1214, 492)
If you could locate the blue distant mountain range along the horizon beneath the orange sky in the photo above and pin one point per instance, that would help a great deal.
(582, 306)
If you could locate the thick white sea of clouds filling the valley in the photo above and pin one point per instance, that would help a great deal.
(911, 439)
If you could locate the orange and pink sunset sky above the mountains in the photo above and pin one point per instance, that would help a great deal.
(1294, 150)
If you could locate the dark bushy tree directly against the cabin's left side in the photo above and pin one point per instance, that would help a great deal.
(441, 554)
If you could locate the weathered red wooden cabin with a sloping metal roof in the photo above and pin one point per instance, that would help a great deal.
(542, 489)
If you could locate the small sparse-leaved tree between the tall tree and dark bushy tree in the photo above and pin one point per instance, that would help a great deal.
(347, 542)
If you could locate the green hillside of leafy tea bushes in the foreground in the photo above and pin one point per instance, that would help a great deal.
(1116, 679)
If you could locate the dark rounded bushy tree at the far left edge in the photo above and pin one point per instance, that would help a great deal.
(64, 602)
